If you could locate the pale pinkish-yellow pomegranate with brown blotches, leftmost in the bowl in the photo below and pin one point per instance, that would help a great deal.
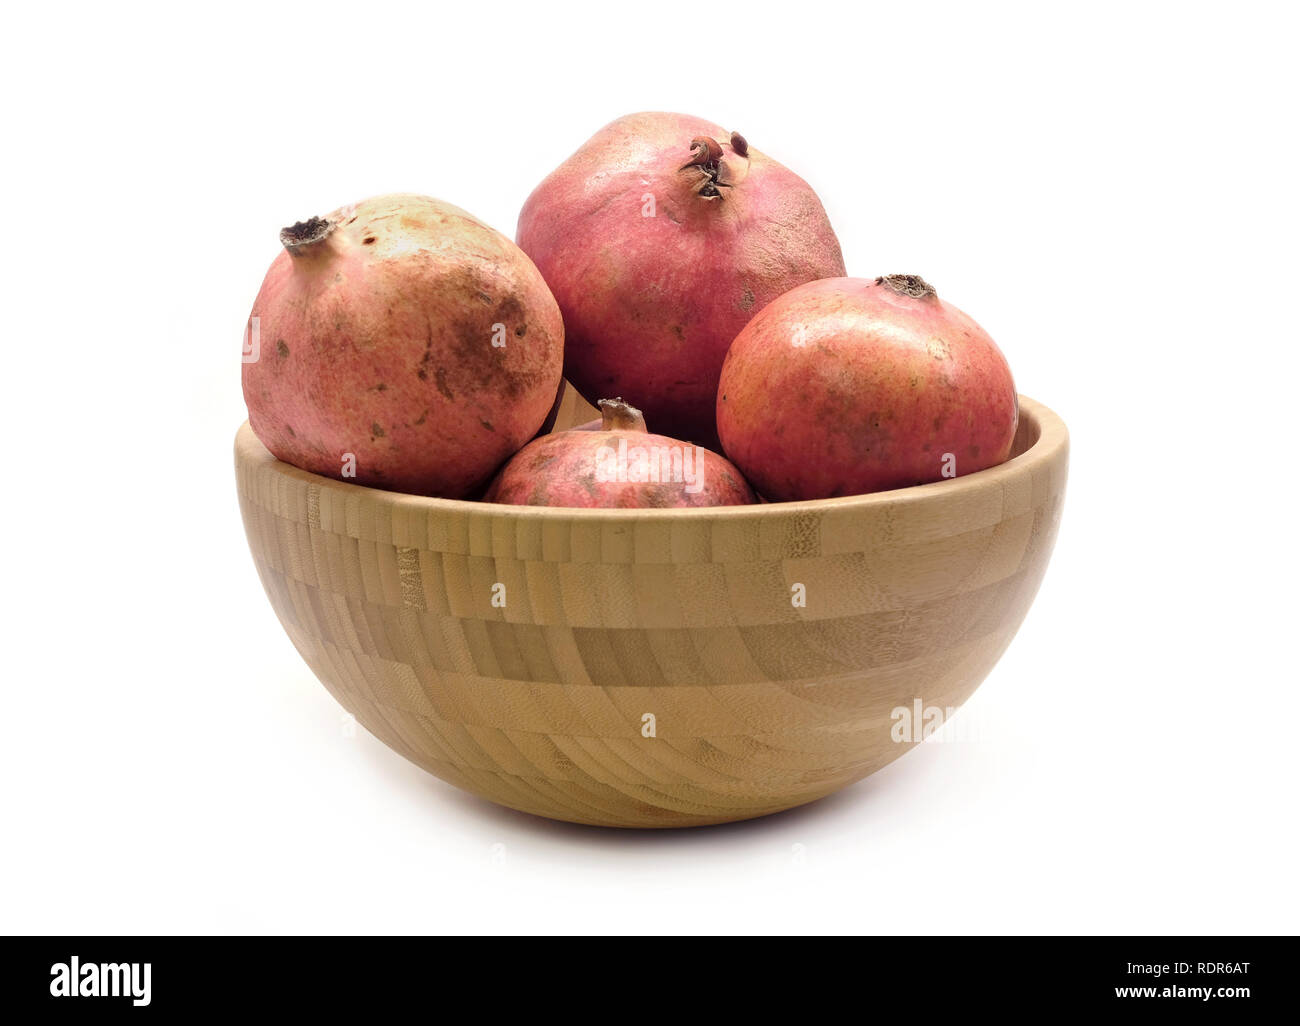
(378, 341)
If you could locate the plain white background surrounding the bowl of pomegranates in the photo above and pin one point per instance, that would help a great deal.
(1112, 193)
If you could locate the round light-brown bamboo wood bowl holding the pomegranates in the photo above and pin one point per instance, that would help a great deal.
(653, 668)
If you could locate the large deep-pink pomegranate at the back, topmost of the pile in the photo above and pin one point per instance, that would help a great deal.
(652, 302)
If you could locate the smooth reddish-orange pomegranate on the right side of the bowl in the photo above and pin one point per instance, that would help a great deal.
(856, 386)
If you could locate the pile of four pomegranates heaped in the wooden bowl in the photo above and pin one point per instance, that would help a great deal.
(668, 267)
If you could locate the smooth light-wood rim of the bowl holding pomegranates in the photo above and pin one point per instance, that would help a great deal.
(1052, 444)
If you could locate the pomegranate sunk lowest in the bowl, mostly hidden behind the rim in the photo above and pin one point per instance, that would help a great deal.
(617, 464)
